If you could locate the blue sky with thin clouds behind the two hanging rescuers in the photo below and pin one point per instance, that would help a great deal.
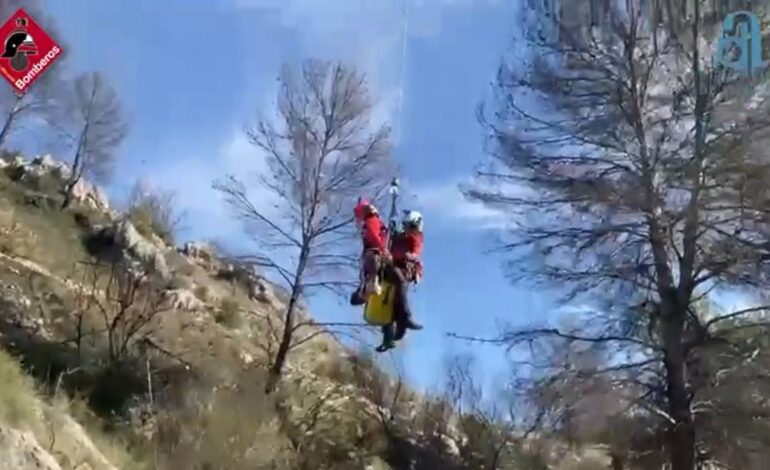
(193, 72)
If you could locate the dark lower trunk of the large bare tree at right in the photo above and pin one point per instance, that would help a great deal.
(681, 434)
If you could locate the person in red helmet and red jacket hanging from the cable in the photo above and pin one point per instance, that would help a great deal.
(373, 237)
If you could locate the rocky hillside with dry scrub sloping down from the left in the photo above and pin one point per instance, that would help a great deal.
(123, 351)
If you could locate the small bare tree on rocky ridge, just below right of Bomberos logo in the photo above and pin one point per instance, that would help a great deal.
(94, 127)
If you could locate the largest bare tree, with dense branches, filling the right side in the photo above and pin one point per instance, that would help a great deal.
(641, 160)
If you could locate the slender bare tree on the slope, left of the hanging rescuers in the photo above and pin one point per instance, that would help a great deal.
(321, 156)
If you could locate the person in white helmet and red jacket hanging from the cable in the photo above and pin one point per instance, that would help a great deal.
(404, 267)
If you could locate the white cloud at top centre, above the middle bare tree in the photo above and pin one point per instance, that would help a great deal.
(370, 34)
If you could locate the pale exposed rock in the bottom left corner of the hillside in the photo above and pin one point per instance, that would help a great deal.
(21, 450)
